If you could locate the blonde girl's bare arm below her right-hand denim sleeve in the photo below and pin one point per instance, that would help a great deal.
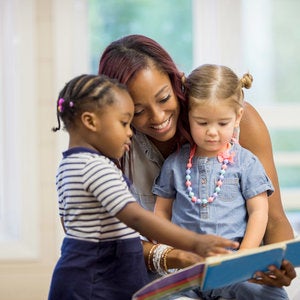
(257, 208)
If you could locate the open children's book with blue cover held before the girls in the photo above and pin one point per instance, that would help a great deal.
(222, 270)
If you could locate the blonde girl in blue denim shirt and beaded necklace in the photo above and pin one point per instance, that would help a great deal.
(215, 186)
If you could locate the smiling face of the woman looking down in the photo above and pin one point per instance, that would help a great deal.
(156, 107)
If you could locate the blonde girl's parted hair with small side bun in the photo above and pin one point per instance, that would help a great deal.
(216, 82)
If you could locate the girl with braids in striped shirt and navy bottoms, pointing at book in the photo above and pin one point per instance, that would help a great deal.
(101, 254)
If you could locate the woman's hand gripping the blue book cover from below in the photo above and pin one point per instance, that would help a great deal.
(277, 277)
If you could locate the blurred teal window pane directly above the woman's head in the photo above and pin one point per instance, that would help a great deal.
(168, 22)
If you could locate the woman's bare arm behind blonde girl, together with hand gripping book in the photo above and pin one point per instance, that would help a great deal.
(255, 137)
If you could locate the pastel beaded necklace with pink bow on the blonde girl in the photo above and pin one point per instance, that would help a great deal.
(225, 158)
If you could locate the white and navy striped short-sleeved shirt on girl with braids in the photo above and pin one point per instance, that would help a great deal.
(91, 191)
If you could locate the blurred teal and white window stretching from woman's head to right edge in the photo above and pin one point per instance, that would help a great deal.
(224, 31)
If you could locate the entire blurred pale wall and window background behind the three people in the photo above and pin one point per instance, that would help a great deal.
(44, 43)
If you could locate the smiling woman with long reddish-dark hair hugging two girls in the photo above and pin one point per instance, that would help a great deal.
(160, 124)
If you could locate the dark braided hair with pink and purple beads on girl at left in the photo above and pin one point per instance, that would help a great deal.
(84, 93)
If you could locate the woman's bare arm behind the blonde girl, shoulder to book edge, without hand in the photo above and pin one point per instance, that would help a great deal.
(255, 137)
